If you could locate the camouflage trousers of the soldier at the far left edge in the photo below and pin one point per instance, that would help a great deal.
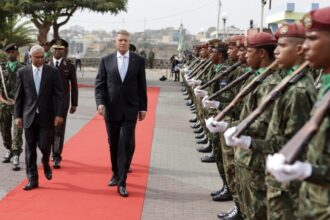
(13, 144)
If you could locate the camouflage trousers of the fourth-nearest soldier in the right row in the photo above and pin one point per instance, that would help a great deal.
(229, 166)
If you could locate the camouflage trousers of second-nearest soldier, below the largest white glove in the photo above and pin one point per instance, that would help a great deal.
(282, 204)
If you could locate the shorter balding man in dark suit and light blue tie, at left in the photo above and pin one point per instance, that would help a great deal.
(38, 108)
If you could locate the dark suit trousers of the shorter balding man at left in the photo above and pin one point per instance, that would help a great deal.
(41, 137)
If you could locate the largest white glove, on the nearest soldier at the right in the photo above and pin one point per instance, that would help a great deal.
(285, 172)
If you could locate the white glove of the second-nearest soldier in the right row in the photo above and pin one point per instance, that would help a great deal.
(243, 141)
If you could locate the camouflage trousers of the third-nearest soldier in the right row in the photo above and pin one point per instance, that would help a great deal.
(251, 193)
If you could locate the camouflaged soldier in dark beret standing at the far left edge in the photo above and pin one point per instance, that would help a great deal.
(7, 92)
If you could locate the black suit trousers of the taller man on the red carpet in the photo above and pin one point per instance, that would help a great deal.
(120, 136)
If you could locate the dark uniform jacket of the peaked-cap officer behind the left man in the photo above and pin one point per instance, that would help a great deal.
(69, 79)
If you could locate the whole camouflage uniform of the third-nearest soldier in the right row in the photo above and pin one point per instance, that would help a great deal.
(250, 164)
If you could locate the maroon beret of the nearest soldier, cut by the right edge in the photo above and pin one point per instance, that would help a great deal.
(317, 20)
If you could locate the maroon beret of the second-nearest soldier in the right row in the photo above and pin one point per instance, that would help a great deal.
(291, 30)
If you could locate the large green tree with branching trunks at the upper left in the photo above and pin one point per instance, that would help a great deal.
(47, 13)
